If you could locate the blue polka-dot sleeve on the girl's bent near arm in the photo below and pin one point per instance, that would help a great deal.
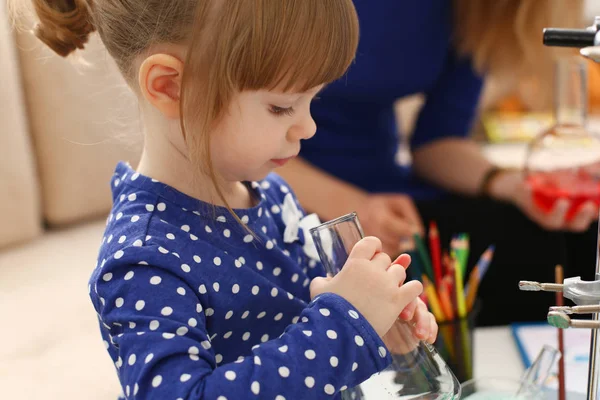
(160, 327)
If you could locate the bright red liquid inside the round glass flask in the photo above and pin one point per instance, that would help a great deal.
(576, 186)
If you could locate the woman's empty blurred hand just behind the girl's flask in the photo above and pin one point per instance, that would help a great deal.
(393, 218)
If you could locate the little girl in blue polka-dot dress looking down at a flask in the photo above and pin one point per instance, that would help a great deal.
(202, 281)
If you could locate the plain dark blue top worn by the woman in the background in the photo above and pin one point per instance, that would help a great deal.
(405, 48)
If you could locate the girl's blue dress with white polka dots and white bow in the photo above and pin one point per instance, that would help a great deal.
(192, 306)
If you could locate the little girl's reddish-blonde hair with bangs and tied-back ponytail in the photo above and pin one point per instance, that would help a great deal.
(232, 45)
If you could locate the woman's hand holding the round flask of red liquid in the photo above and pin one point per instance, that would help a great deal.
(511, 187)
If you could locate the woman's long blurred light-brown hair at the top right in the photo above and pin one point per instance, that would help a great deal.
(504, 37)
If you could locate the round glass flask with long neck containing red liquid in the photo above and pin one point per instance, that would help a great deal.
(564, 161)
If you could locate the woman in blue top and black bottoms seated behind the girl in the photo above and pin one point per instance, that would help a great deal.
(409, 47)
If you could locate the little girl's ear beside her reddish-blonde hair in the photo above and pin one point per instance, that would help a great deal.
(159, 79)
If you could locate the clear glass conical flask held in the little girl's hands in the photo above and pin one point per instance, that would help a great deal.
(417, 370)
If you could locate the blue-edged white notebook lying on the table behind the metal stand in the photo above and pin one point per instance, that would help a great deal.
(531, 337)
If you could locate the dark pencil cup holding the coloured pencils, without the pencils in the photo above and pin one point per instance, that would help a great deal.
(455, 344)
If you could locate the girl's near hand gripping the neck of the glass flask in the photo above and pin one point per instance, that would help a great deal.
(372, 284)
